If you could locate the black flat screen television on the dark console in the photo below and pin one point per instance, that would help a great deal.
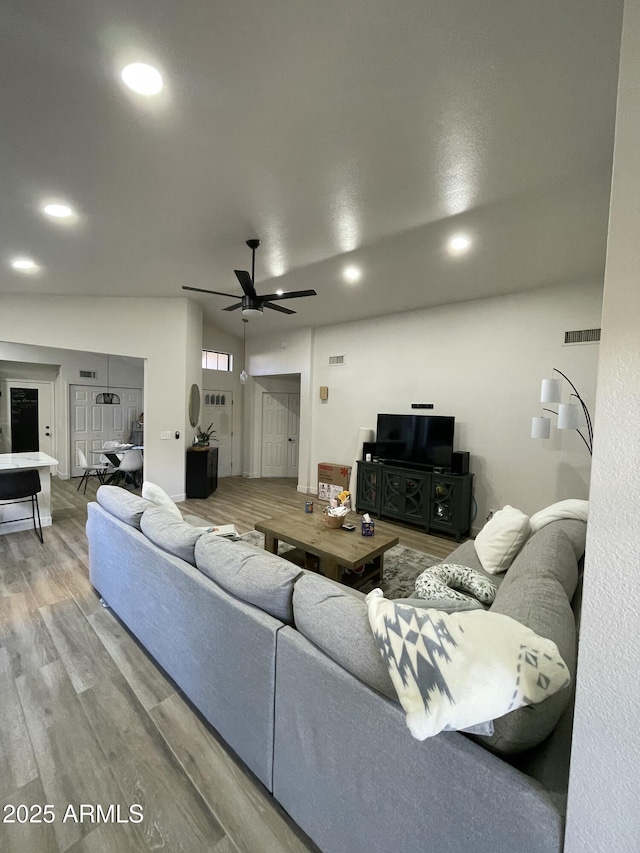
(421, 440)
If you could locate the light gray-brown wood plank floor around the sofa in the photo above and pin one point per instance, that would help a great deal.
(87, 718)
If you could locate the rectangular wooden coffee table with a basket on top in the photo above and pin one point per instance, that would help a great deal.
(336, 549)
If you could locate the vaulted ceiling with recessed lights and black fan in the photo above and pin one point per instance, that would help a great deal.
(361, 133)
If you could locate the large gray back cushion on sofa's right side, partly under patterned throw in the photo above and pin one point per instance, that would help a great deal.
(536, 592)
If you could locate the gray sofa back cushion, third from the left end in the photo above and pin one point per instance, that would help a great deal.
(251, 574)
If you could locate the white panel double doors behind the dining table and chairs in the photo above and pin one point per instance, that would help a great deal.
(91, 423)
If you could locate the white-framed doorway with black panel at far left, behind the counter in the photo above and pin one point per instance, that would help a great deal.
(26, 416)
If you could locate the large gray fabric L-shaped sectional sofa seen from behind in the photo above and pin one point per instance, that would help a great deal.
(284, 666)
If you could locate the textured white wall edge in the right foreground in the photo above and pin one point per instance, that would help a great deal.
(604, 793)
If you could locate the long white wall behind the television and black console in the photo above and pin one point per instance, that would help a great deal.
(480, 361)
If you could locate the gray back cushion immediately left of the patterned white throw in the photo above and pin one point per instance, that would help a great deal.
(334, 618)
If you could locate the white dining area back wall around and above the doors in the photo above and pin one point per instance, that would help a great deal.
(62, 367)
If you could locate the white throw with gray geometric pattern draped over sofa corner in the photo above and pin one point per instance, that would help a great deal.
(455, 670)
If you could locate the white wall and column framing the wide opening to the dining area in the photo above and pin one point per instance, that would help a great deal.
(167, 333)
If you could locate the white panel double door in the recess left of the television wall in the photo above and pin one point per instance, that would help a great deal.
(280, 420)
